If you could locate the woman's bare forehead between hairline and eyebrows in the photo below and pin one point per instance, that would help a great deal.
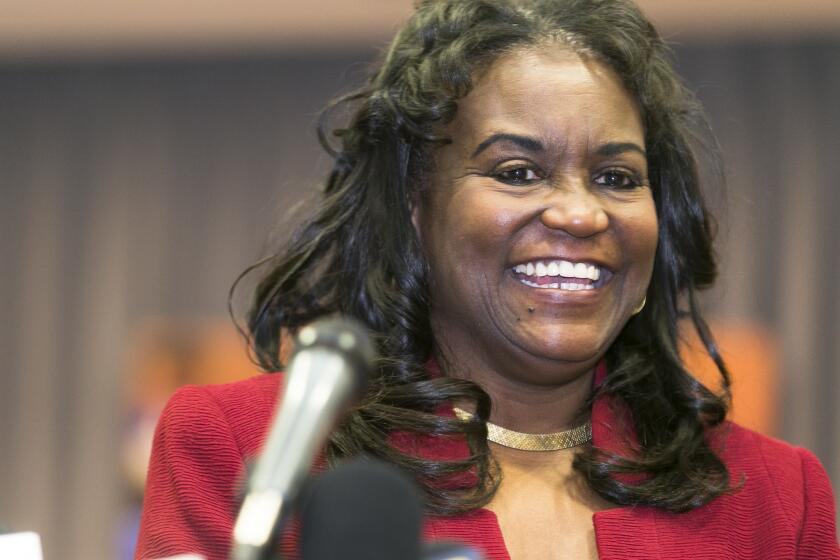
(550, 92)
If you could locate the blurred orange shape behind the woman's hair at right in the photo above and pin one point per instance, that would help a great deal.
(749, 351)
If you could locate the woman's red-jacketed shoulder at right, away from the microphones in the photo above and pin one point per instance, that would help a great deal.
(780, 504)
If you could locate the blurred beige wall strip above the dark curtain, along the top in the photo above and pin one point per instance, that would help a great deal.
(46, 28)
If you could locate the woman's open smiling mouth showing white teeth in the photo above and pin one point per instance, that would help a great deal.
(561, 275)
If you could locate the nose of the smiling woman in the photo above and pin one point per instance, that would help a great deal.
(575, 209)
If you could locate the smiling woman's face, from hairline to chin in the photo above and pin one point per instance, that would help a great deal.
(539, 224)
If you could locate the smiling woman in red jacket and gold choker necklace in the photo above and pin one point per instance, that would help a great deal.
(514, 211)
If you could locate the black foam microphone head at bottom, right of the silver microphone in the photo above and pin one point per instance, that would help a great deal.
(361, 510)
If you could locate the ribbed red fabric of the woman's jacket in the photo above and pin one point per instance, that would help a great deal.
(785, 509)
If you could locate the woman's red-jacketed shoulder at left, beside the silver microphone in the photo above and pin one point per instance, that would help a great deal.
(204, 439)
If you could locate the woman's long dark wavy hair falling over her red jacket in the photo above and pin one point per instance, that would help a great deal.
(358, 255)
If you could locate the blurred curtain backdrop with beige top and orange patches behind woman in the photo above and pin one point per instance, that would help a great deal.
(151, 150)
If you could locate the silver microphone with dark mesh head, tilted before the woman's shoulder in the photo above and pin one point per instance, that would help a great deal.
(327, 373)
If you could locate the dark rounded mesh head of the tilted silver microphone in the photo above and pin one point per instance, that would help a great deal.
(345, 336)
